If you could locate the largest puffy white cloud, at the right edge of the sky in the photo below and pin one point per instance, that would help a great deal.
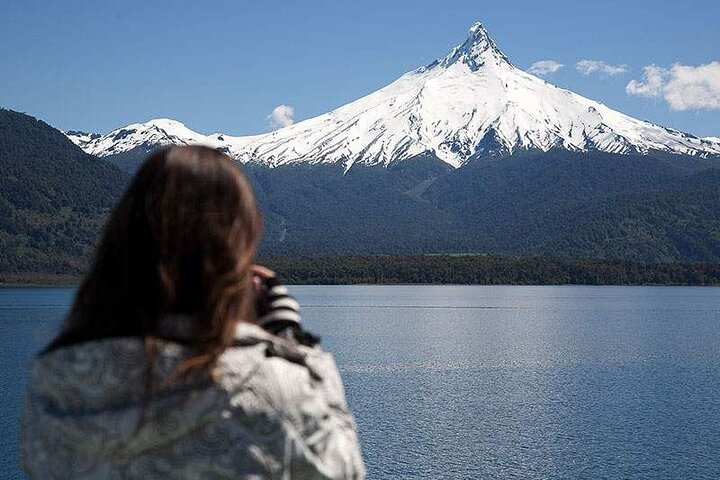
(683, 87)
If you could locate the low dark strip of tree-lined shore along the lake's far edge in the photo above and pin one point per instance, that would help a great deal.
(458, 269)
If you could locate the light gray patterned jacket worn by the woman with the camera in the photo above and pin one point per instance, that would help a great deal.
(274, 410)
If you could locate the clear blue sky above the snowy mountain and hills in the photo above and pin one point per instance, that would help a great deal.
(224, 66)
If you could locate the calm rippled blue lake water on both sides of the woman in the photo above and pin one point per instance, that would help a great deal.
(488, 382)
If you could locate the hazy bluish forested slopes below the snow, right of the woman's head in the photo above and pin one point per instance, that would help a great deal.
(649, 208)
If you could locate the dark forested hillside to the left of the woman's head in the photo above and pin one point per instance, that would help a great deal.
(53, 198)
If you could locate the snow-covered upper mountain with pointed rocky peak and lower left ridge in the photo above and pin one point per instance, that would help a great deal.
(470, 104)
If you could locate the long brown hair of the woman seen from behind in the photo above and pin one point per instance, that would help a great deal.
(181, 241)
